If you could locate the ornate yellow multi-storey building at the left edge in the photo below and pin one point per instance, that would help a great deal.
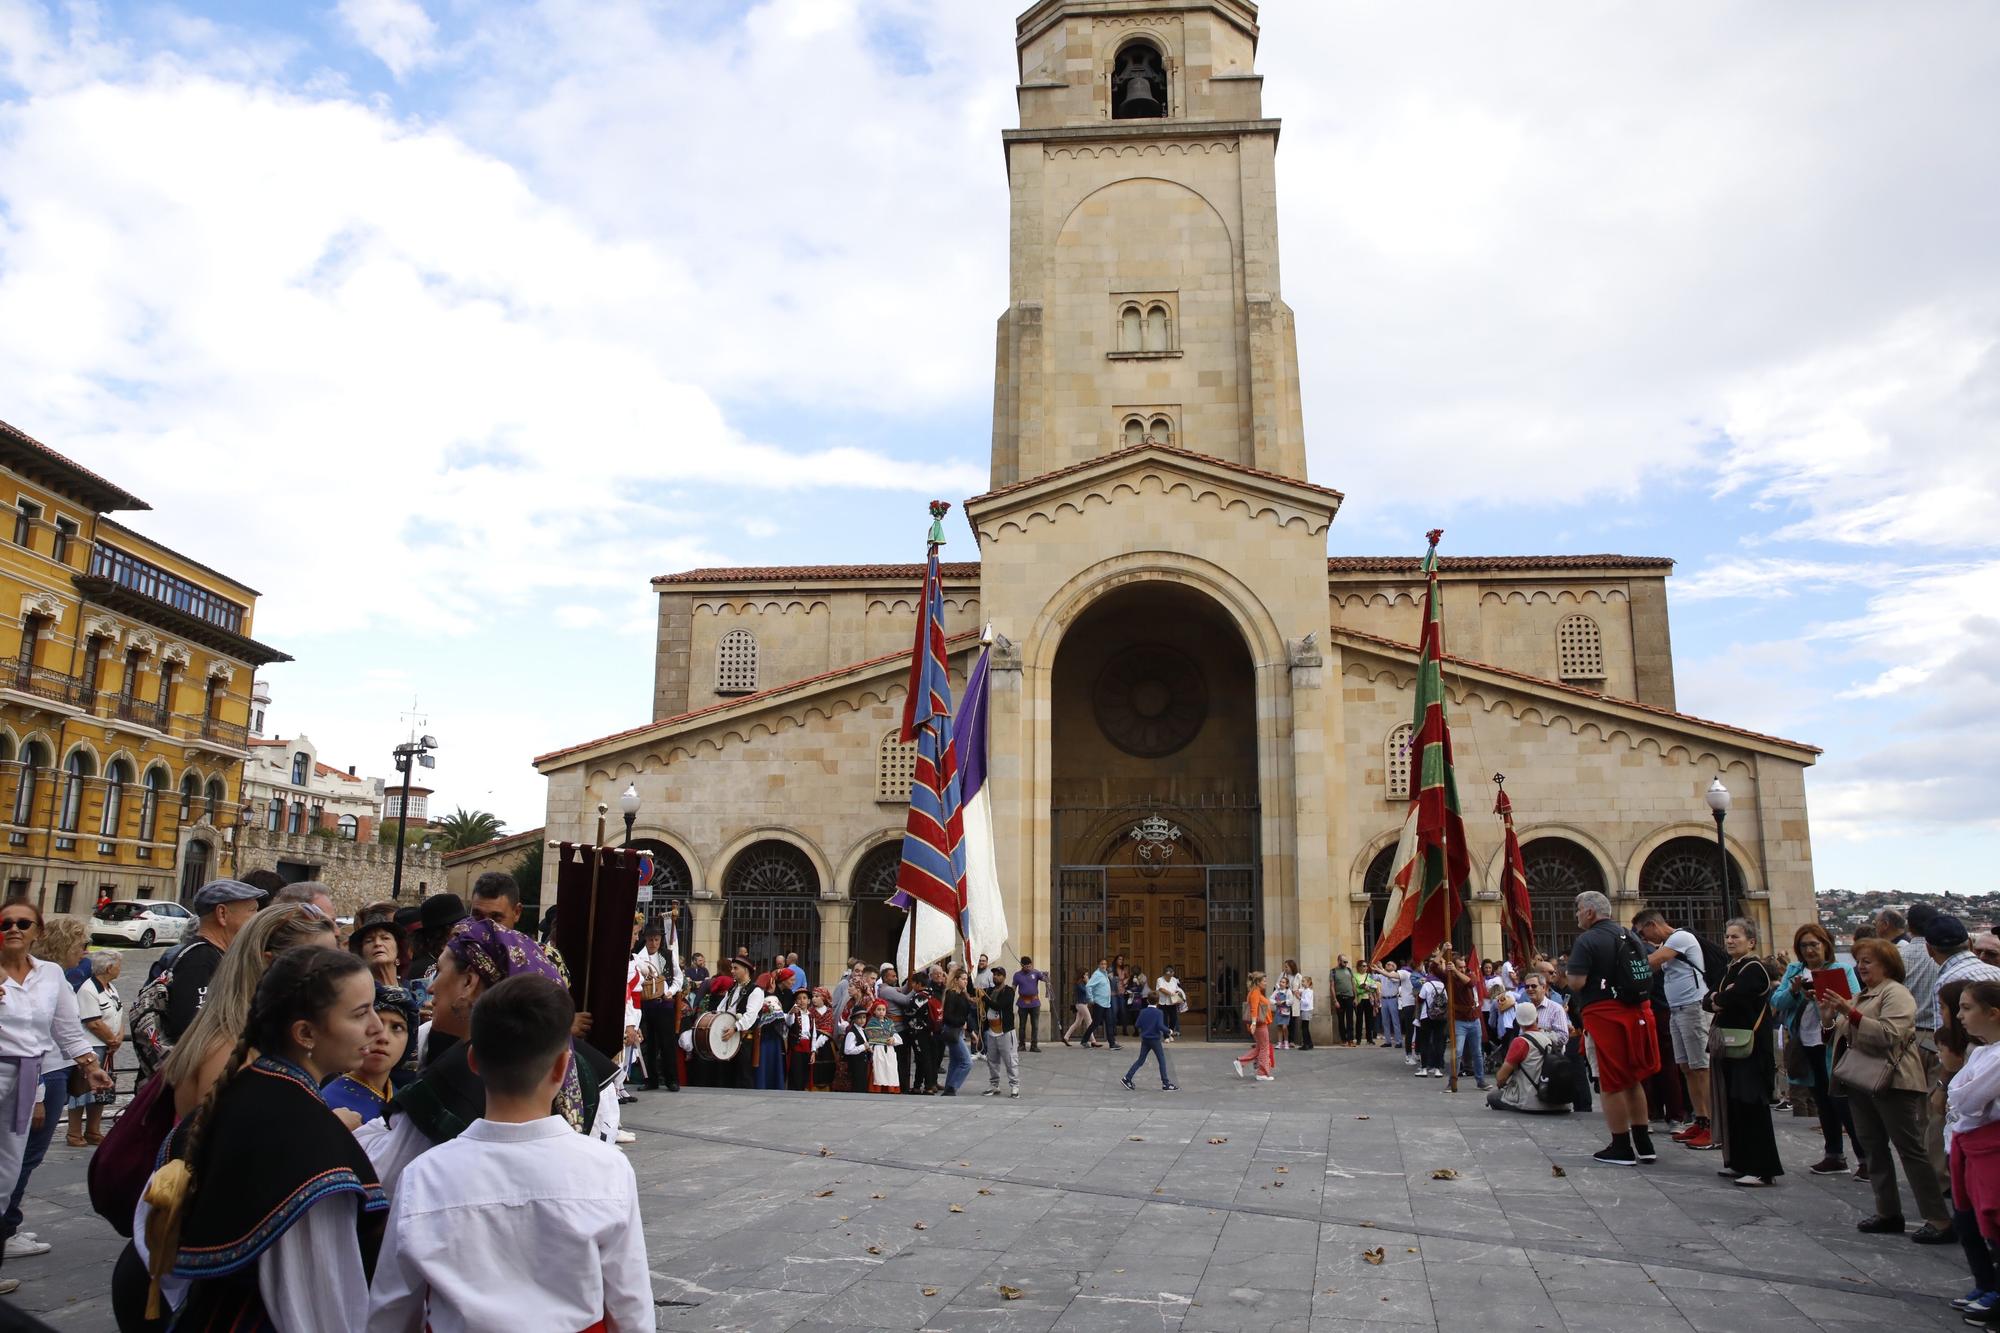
(125, 702)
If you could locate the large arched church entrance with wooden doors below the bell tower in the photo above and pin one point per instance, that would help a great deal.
(1155, 798)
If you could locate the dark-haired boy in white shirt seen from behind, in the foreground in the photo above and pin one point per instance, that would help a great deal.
(519, 1222)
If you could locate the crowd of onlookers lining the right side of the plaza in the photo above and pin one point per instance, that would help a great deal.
(1893, 1056)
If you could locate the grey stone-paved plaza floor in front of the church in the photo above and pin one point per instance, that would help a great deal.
(1233, 1206)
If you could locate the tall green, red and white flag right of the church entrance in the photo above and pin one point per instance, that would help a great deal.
(1433, 868)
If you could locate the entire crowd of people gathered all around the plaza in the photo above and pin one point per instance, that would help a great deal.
(411, 1128)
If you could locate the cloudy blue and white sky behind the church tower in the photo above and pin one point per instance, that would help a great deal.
(449, 325)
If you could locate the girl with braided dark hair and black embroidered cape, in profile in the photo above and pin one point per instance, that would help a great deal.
(267, 1214)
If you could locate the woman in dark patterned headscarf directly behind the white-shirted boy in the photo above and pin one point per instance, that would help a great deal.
(447, 1096)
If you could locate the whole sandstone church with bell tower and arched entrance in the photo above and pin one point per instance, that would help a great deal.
(1199, 722)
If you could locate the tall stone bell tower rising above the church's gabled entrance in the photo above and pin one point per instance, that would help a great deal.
(1145, 243)
